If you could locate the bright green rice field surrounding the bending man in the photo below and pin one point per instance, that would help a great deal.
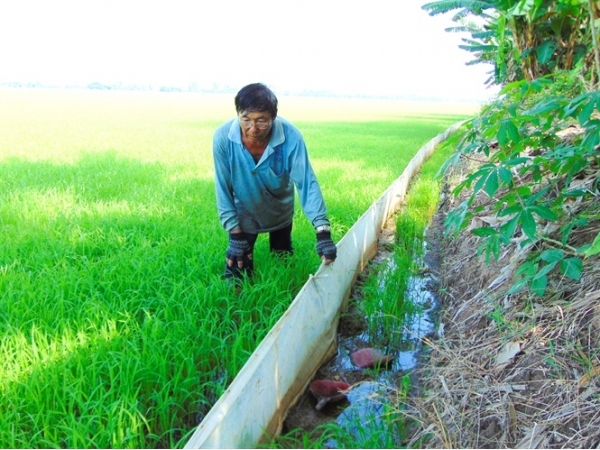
(116, 330)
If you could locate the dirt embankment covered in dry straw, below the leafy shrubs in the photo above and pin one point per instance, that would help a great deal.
(509, 371)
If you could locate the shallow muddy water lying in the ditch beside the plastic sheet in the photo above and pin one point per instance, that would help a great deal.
(371, 389)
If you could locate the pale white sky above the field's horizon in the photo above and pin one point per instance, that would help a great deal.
(351, 47)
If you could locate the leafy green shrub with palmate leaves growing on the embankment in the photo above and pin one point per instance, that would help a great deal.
(530, 179)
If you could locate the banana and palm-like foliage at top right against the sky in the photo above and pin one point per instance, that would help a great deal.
(526, 39)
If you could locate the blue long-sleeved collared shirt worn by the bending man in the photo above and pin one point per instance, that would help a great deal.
(260, 197)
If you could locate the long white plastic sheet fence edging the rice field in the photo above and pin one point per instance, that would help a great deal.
(279, 370)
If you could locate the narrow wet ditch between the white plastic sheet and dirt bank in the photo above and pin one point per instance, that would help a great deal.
(374, 391)
